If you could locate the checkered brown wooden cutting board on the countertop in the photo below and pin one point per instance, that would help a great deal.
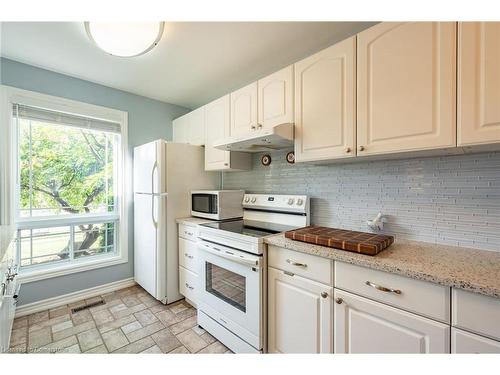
(358, 242)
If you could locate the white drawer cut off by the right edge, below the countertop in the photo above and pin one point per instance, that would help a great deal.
(477, 313)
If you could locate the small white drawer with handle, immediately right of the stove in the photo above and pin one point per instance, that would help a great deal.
(309, 266)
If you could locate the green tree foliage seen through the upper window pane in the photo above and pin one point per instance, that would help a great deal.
(68, 168)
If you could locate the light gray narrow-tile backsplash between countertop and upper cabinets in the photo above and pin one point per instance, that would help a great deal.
(450, 200)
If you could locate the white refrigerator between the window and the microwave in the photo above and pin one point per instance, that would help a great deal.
(164, 175)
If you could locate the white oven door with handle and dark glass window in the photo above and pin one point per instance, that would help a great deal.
(231, 290)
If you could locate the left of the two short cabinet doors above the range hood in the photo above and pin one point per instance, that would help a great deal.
(244, 110)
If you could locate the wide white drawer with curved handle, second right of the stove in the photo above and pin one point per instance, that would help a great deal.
(417, 296)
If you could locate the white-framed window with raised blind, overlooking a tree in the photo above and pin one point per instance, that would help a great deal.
(69, 208)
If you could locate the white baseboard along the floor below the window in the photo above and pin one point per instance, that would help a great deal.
(50, 303)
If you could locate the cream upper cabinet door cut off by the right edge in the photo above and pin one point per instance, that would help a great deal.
(479, 83)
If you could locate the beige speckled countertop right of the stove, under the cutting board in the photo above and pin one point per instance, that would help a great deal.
(469, 269)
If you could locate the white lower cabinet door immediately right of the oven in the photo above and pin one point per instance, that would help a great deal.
(300, 319)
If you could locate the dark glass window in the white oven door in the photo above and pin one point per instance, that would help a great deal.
(226, 285)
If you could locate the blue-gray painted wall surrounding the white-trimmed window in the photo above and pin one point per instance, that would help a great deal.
(148, 120)
